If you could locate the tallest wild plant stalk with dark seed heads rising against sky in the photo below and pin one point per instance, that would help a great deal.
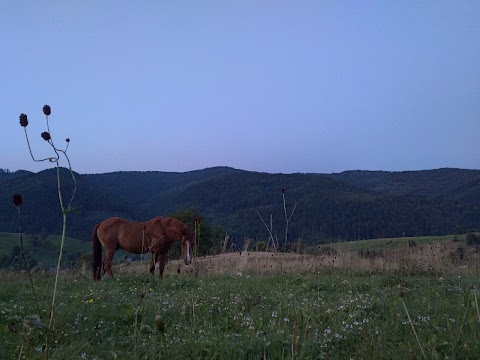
(65, 209)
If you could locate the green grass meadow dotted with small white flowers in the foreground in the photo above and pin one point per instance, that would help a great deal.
(335, 315)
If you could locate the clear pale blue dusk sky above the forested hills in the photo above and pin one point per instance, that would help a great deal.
(272, 86)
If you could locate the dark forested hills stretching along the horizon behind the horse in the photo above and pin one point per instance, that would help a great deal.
(349, 205)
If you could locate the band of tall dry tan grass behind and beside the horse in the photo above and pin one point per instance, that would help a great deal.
(442, 258)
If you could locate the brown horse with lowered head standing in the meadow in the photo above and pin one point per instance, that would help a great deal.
(155, 236)
